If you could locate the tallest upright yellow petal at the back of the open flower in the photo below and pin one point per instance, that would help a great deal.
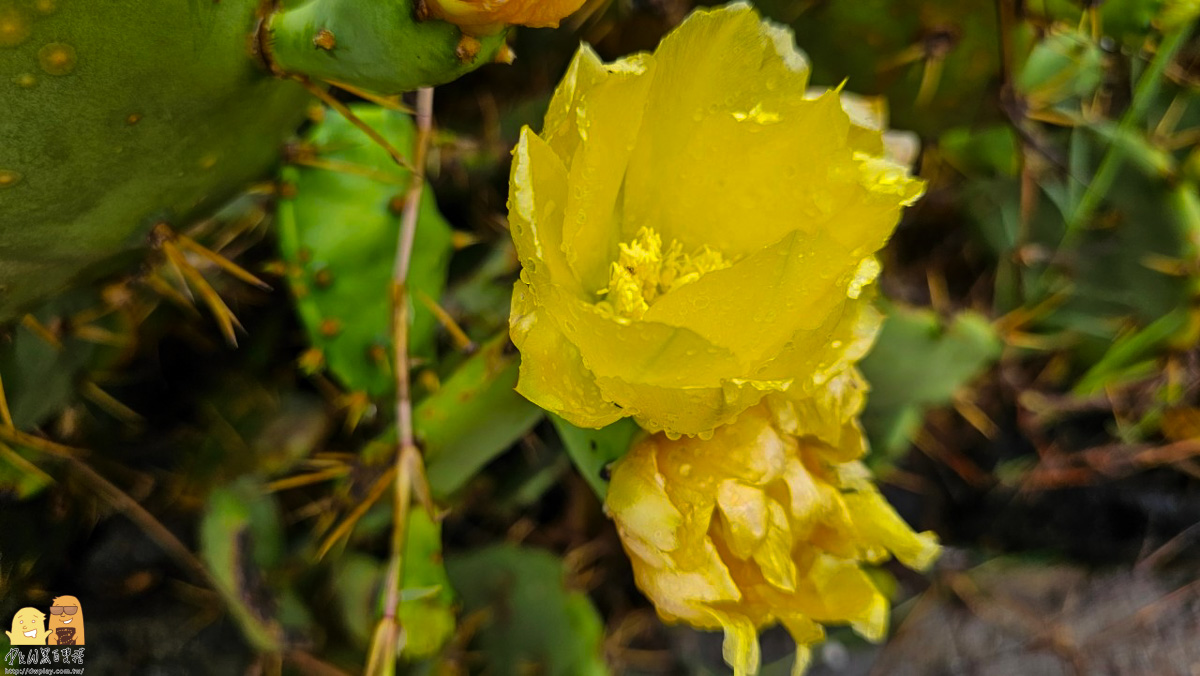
(717, 65)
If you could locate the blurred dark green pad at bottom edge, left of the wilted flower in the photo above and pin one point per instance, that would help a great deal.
(536, 625)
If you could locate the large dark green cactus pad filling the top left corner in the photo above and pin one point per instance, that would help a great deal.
(118, 116)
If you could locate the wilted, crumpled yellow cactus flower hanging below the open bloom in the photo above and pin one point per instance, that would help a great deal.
(766, 523)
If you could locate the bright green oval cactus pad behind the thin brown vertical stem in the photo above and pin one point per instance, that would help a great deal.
(339, 230)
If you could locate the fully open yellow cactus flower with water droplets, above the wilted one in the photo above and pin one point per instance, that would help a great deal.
(697, 230)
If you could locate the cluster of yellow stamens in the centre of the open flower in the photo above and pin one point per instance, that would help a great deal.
(645, 272)
